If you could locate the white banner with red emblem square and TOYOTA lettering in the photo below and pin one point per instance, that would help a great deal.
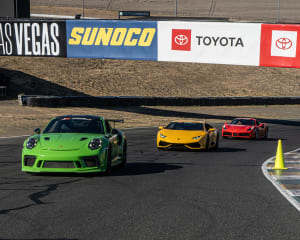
(209, 42)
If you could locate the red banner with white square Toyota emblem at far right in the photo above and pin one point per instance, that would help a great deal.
(280, 45)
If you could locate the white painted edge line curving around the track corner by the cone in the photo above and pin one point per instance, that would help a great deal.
(284, 192)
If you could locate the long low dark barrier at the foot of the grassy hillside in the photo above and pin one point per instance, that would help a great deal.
(89, 101)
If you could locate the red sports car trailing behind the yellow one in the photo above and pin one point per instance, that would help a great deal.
(245, 128)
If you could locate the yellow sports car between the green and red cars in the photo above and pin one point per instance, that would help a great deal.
(183, 134)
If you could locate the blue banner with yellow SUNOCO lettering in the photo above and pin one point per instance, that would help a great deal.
(112, 39)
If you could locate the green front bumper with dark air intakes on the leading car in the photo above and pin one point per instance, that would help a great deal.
(63, 161)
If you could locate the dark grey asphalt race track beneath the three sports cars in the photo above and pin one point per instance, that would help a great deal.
(159, 195)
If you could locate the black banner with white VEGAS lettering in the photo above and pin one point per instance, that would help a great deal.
(33, 38)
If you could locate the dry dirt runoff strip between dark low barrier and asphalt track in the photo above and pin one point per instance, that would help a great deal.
(20, 120)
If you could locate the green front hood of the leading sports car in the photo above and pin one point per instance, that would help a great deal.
(65, 141)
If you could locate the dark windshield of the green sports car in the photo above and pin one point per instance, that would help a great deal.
(75, 125)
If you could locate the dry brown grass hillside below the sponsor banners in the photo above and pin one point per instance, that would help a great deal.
(97, 77)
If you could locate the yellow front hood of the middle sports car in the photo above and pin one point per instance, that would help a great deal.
(181, 135)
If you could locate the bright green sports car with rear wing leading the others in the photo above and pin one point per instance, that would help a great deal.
(75, 143)
